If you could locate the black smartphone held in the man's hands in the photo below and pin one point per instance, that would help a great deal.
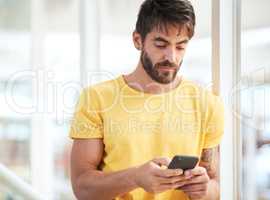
(183, 162)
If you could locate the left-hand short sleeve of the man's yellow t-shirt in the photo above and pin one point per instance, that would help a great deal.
(87, 120)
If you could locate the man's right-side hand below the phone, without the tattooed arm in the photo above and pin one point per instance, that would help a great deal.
(196, 186)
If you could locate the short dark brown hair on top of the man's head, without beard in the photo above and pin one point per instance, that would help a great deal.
(161, 13)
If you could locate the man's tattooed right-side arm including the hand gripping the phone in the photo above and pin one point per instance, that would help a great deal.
(204, 181)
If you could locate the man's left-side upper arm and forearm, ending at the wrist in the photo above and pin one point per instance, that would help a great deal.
(90, 183)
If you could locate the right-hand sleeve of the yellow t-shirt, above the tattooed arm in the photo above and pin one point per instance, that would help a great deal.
(214, 124)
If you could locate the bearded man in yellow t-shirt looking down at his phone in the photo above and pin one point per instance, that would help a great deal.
(127, 130)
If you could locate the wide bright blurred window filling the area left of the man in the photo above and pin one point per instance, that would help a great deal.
(56, 69)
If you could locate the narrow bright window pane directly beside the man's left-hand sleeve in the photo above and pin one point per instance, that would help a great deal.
(62, 67)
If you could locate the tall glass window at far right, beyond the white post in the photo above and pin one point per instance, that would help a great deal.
(255, 93)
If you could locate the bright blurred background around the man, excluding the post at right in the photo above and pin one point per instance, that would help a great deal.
(41, 58)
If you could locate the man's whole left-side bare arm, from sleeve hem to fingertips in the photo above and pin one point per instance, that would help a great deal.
(90, 183)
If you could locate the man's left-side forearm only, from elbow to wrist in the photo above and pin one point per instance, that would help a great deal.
(104, 186)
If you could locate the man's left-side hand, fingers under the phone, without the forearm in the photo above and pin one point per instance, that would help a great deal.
(155, 179)
